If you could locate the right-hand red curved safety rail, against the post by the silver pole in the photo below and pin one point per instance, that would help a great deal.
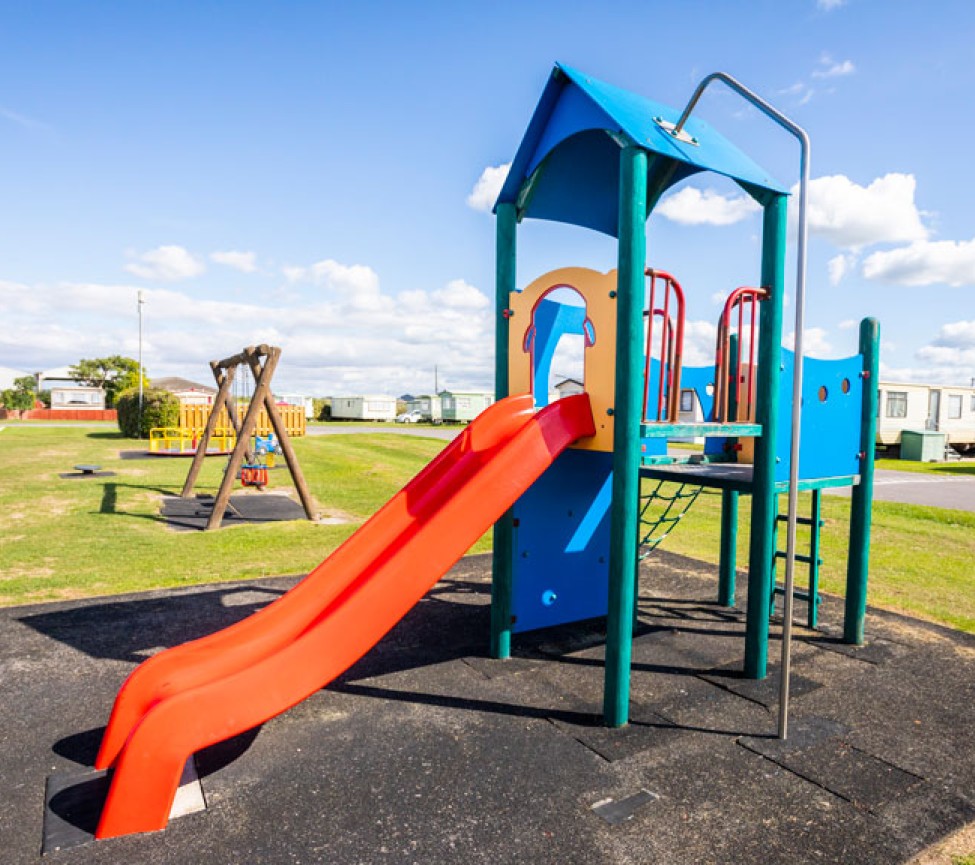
(743, 375)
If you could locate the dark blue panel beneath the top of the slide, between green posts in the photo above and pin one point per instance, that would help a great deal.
(561, 543)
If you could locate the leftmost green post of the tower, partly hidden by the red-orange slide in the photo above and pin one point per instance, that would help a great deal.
(502, 582)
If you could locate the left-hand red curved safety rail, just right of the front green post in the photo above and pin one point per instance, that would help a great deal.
(671, 348)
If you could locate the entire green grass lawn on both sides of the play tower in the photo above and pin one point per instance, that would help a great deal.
(77, 538)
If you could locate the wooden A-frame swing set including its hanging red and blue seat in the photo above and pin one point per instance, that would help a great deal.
(248, 462)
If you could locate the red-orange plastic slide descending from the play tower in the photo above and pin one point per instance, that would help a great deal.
(208, 690)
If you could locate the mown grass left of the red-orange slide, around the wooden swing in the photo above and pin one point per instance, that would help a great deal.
(74, 538)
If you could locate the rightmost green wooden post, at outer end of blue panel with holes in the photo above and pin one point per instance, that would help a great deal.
(861, 506)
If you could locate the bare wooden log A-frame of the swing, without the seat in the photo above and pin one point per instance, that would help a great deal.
(262, 360)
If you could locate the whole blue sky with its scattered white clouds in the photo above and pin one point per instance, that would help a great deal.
(305, 174)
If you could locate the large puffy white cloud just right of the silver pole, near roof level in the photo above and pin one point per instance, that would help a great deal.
(853, 216)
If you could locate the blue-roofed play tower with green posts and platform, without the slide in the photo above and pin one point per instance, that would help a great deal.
(600, 158)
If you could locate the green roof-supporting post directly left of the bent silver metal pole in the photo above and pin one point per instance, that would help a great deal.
(762, 545)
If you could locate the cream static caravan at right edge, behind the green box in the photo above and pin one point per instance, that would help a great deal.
(949, 409)
